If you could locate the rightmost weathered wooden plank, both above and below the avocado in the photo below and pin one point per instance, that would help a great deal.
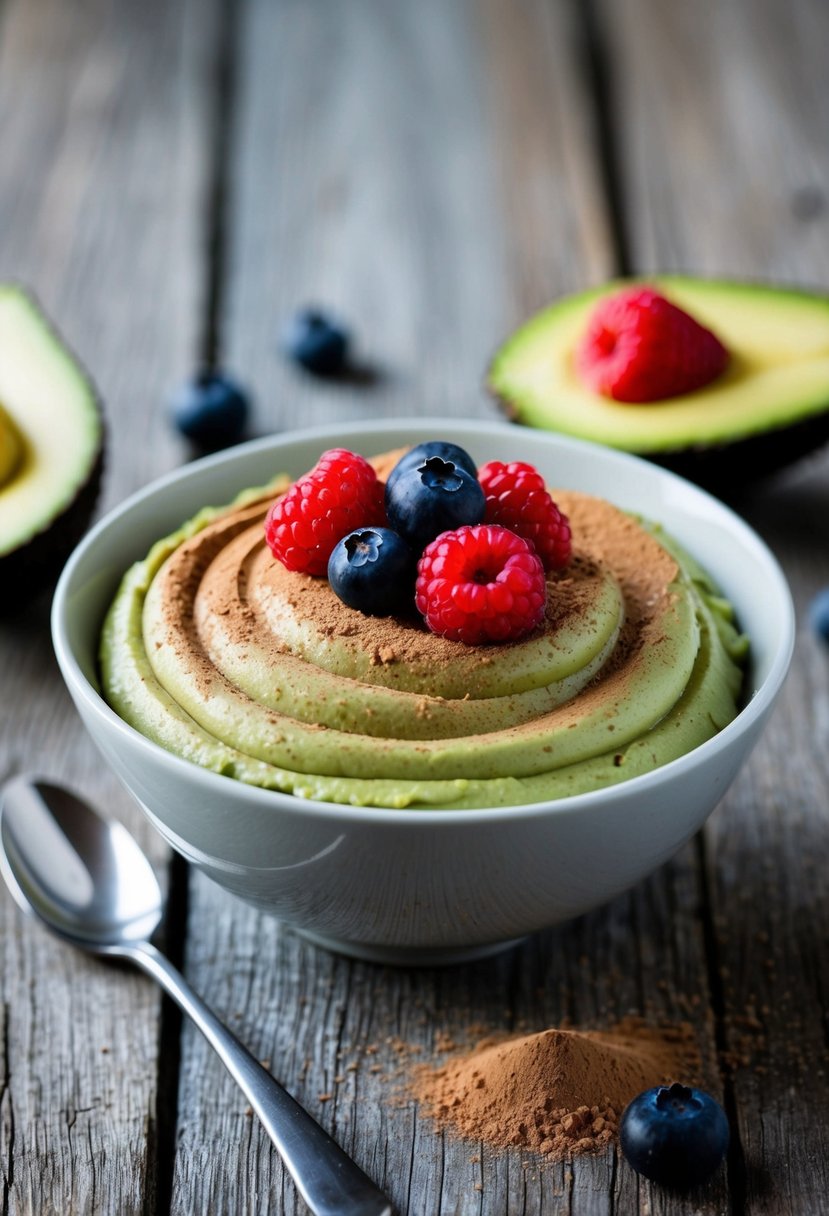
(726, 172)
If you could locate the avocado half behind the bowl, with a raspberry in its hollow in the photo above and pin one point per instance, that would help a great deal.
(768, 409)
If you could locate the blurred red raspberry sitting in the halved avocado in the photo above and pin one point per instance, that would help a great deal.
(639, 347)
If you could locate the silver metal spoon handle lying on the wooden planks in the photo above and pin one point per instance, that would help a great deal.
(331, 1184)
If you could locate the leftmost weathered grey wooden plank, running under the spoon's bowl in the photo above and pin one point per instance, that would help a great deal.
(100, 130)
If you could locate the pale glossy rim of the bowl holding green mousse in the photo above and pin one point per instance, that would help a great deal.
(675, 770)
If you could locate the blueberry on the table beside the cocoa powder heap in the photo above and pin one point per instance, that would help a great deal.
(674, 1135)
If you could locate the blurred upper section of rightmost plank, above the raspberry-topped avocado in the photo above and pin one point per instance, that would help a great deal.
(721, 114)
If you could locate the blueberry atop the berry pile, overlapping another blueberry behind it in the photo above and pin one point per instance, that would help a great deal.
(431, 498)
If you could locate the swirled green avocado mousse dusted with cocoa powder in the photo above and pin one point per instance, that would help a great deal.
(223, 656)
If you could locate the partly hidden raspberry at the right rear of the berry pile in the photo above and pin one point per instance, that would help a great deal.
(518, 499)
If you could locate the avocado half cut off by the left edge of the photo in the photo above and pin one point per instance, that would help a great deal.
(52, 449)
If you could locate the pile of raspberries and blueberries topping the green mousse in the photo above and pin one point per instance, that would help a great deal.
(471, 582)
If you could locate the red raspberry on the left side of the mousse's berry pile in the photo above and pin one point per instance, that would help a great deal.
(340, 494)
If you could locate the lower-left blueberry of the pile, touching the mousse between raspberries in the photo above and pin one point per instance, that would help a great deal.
(373, 570)
